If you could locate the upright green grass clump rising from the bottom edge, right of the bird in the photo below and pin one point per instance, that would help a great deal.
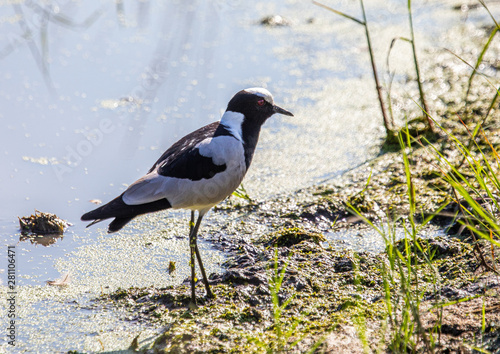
(401, 275)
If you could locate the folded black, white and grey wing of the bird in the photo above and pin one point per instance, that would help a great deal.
(189, 169)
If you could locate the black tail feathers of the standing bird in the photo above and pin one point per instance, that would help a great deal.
(122, 212)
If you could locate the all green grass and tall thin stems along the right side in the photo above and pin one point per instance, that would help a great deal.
(409, 270)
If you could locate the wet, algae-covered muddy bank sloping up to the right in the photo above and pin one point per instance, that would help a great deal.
(332, 299)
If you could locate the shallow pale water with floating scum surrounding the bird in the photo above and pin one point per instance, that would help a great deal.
(92, 93)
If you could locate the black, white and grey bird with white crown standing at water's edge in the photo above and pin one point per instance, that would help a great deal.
(197, 172)
